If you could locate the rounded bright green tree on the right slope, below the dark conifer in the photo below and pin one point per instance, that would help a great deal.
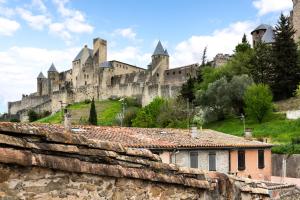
(258, 101)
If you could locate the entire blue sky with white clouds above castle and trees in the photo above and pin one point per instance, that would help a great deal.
(35, 33)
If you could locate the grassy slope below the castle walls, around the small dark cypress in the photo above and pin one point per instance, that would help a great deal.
(106, 113)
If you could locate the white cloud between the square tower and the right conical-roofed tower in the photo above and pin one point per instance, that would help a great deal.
(131, 55)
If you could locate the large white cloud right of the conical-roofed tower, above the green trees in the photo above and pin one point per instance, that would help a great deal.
(221, 41)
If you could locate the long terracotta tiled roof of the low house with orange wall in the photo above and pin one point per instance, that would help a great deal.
(152, 138)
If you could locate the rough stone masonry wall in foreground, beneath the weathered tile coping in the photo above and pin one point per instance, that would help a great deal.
(32, 183)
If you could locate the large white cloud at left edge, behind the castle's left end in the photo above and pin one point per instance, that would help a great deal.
(19, 67)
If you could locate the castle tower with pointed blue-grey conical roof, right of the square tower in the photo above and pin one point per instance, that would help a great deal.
(160, 62)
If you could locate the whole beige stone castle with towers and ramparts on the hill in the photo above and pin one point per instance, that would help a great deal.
(92, 76)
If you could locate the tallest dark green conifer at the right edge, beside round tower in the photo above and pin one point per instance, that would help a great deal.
(286, 68)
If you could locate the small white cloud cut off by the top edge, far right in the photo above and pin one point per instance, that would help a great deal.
(268, 6)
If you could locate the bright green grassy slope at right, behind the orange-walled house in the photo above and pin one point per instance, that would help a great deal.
(276, 127)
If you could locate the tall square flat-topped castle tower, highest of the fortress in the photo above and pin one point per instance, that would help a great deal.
(99, 50)
